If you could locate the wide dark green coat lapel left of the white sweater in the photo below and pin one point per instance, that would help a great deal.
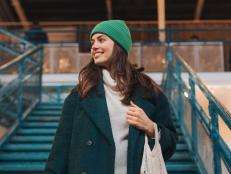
(96, 107)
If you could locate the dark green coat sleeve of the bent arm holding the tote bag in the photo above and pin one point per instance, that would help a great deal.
(163, 118)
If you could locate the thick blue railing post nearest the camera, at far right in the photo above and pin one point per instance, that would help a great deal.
(214, 135)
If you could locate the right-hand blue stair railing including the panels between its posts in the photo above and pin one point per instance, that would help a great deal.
(182, 85)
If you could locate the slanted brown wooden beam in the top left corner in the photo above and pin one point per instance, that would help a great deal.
(20, 12)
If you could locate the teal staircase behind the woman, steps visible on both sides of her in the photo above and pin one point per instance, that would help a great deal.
(28, 148)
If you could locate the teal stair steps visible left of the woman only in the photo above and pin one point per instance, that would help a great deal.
(28, 148)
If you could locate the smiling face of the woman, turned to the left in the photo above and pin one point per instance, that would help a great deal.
(101, 49)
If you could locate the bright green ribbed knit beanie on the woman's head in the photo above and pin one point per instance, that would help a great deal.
(117, 30)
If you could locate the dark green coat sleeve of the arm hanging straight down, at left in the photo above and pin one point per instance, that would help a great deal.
(58, 158)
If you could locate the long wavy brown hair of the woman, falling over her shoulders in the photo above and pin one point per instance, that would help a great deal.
(126, 75)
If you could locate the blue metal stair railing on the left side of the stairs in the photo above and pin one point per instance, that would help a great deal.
(20, 88)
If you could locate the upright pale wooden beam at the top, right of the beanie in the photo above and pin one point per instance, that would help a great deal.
(161, 19)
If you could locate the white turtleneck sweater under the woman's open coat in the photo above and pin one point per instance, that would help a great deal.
(117, 113)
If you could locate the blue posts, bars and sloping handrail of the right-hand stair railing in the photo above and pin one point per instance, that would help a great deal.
(211, 125)
